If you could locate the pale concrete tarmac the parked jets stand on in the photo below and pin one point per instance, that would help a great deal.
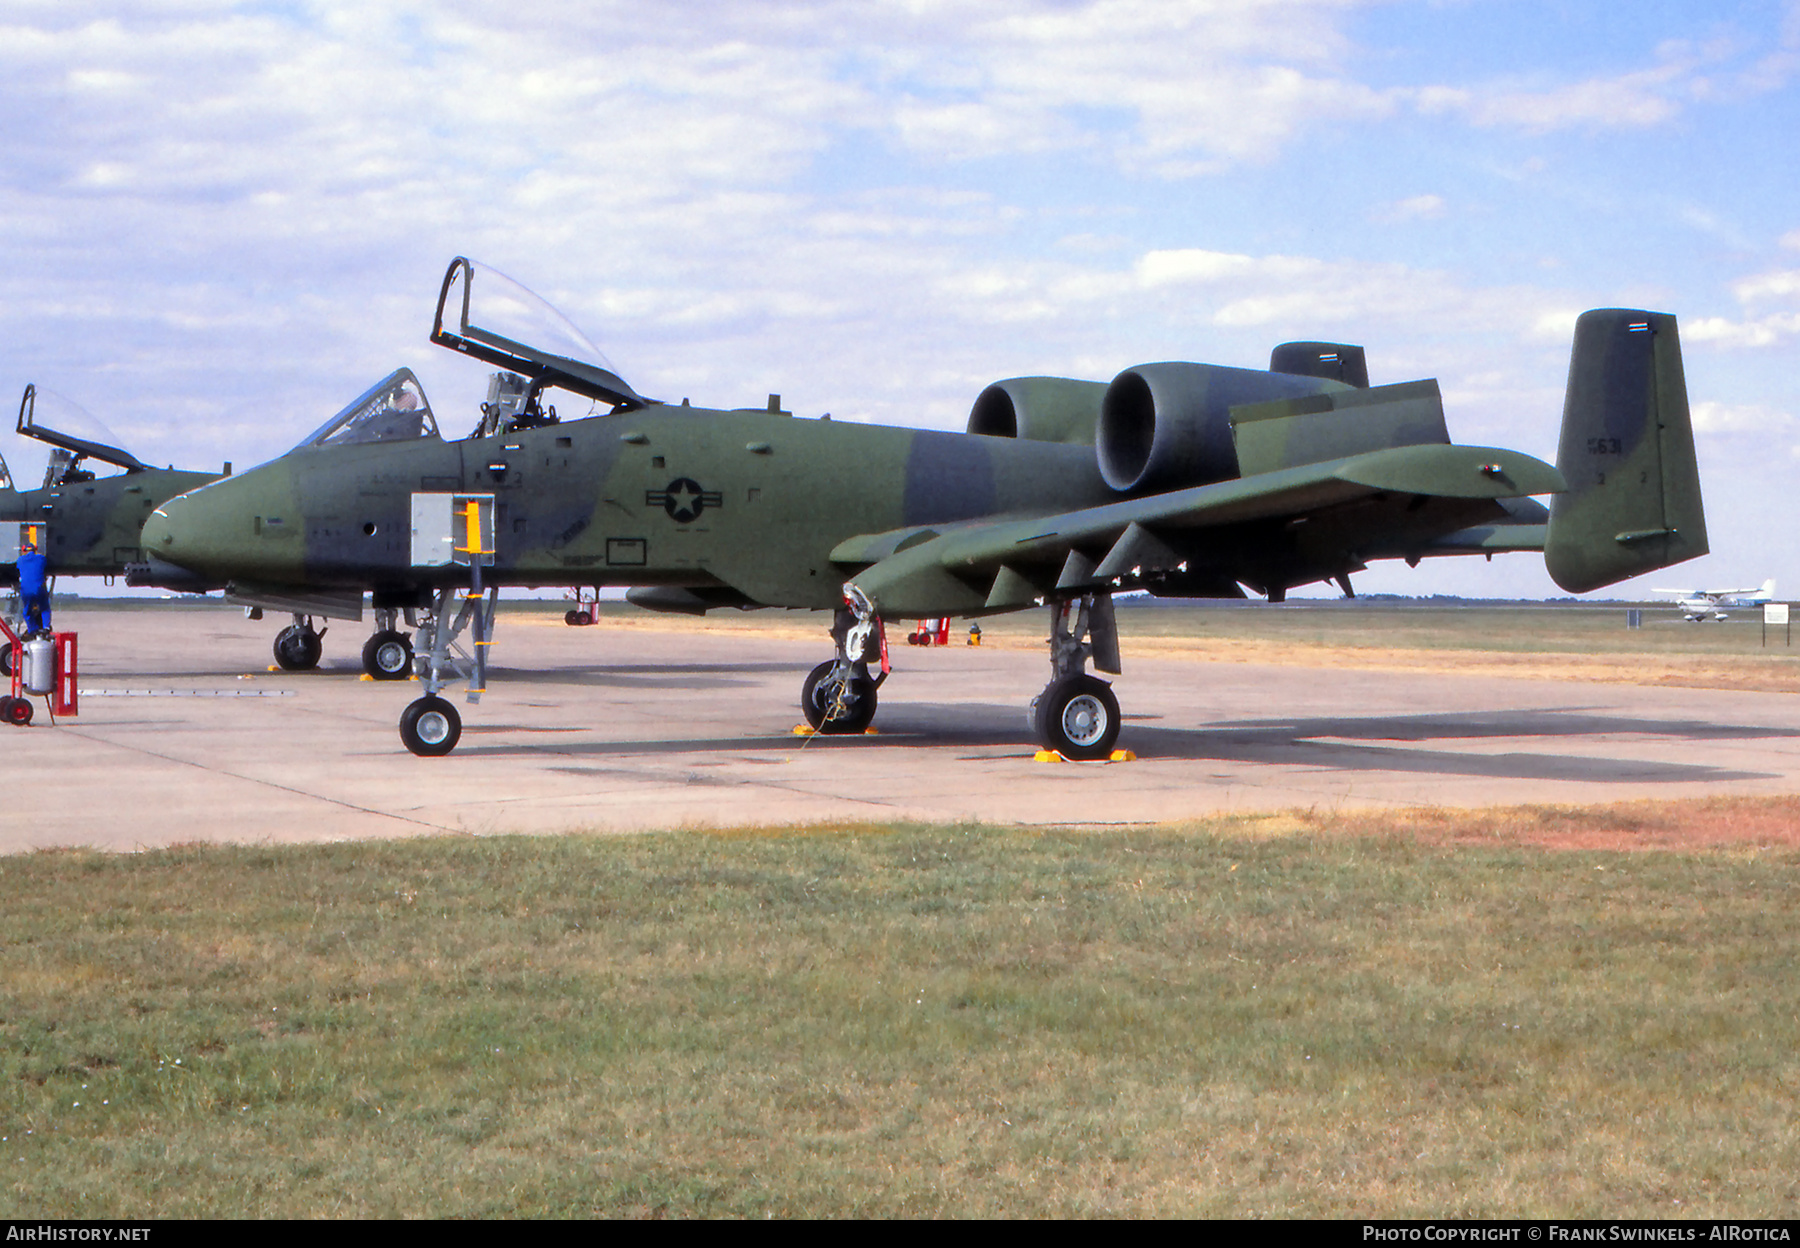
(184, 736)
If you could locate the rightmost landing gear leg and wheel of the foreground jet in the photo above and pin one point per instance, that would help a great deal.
(1077, 714)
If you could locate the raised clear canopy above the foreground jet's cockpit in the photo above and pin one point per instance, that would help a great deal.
(492, 318)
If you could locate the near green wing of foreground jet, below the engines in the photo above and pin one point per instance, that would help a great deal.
(1007, 563)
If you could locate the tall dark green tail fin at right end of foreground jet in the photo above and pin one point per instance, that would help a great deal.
(1626, 453)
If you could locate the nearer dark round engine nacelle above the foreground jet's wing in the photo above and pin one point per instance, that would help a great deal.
(1169, 426)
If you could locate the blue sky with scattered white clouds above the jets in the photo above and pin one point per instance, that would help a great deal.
(224, 221)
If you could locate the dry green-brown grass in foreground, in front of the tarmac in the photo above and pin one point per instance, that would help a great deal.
(1284, 1017)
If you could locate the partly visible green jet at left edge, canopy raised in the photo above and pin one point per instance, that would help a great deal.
(85, 523)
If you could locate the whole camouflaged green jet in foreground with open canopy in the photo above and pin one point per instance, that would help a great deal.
(1185, 480)
